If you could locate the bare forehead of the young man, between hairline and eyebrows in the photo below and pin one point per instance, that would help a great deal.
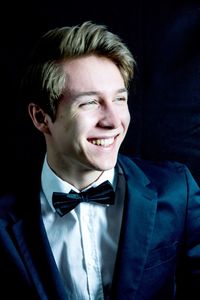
(93, 73)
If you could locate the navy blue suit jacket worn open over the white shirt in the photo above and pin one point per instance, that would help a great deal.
(159, 250)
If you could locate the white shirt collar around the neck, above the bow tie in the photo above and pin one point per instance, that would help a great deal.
(52, 183)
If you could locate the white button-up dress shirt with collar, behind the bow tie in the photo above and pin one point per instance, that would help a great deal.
(84, 241)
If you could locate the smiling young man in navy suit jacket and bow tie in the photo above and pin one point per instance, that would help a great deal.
(95, 224)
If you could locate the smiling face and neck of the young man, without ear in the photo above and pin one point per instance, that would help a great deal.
(92, 119)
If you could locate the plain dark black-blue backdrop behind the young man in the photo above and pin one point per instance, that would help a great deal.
(164, 37)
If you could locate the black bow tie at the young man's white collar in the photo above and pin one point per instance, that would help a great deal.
(103, 194)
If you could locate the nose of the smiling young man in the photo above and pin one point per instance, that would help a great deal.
(110, 116)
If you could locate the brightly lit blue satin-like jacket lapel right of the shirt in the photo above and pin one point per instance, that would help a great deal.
(137, 225)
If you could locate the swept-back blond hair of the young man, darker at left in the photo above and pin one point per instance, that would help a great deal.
(45, 79)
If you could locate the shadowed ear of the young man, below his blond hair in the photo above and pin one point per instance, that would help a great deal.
(39, 118)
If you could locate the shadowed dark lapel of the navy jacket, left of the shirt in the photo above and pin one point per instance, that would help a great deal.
(30, 236)
